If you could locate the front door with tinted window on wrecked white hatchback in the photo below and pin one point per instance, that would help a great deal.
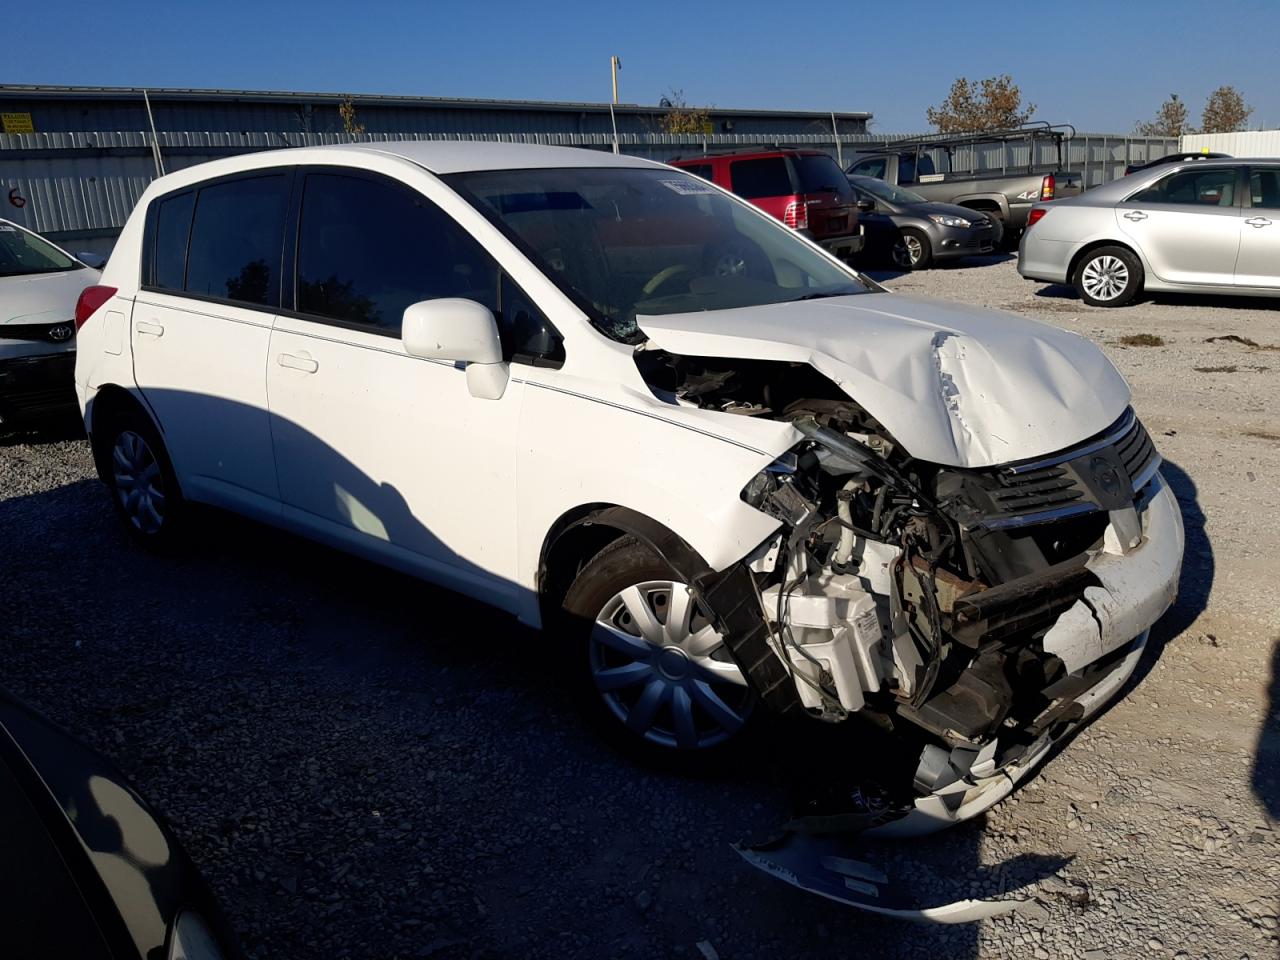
(380, 451)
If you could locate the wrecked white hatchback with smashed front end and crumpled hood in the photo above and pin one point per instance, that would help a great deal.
(720, 469)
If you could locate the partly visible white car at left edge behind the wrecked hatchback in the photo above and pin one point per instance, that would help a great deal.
(39, 287)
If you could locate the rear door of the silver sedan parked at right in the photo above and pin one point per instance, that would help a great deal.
(1188, 225)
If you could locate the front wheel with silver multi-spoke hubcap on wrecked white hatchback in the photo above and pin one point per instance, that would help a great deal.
(655, 669)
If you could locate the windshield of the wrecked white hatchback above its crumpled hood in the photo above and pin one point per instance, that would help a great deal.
(628, 241)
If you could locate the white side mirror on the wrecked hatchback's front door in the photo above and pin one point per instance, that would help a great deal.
(460, 331)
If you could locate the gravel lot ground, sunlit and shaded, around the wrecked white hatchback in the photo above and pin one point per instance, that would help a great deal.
(368, 767)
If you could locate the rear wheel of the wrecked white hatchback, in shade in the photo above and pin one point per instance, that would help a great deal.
(127, 442)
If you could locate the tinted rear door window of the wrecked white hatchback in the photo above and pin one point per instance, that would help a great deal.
(236, 239)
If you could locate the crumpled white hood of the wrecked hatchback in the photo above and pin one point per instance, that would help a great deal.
(956, 386)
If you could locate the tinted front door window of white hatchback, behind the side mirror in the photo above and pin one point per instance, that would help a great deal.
(368, 249)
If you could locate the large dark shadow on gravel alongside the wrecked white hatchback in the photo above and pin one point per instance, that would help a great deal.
(368, 766)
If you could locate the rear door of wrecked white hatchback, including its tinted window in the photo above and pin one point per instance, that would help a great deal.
(200, 332)
